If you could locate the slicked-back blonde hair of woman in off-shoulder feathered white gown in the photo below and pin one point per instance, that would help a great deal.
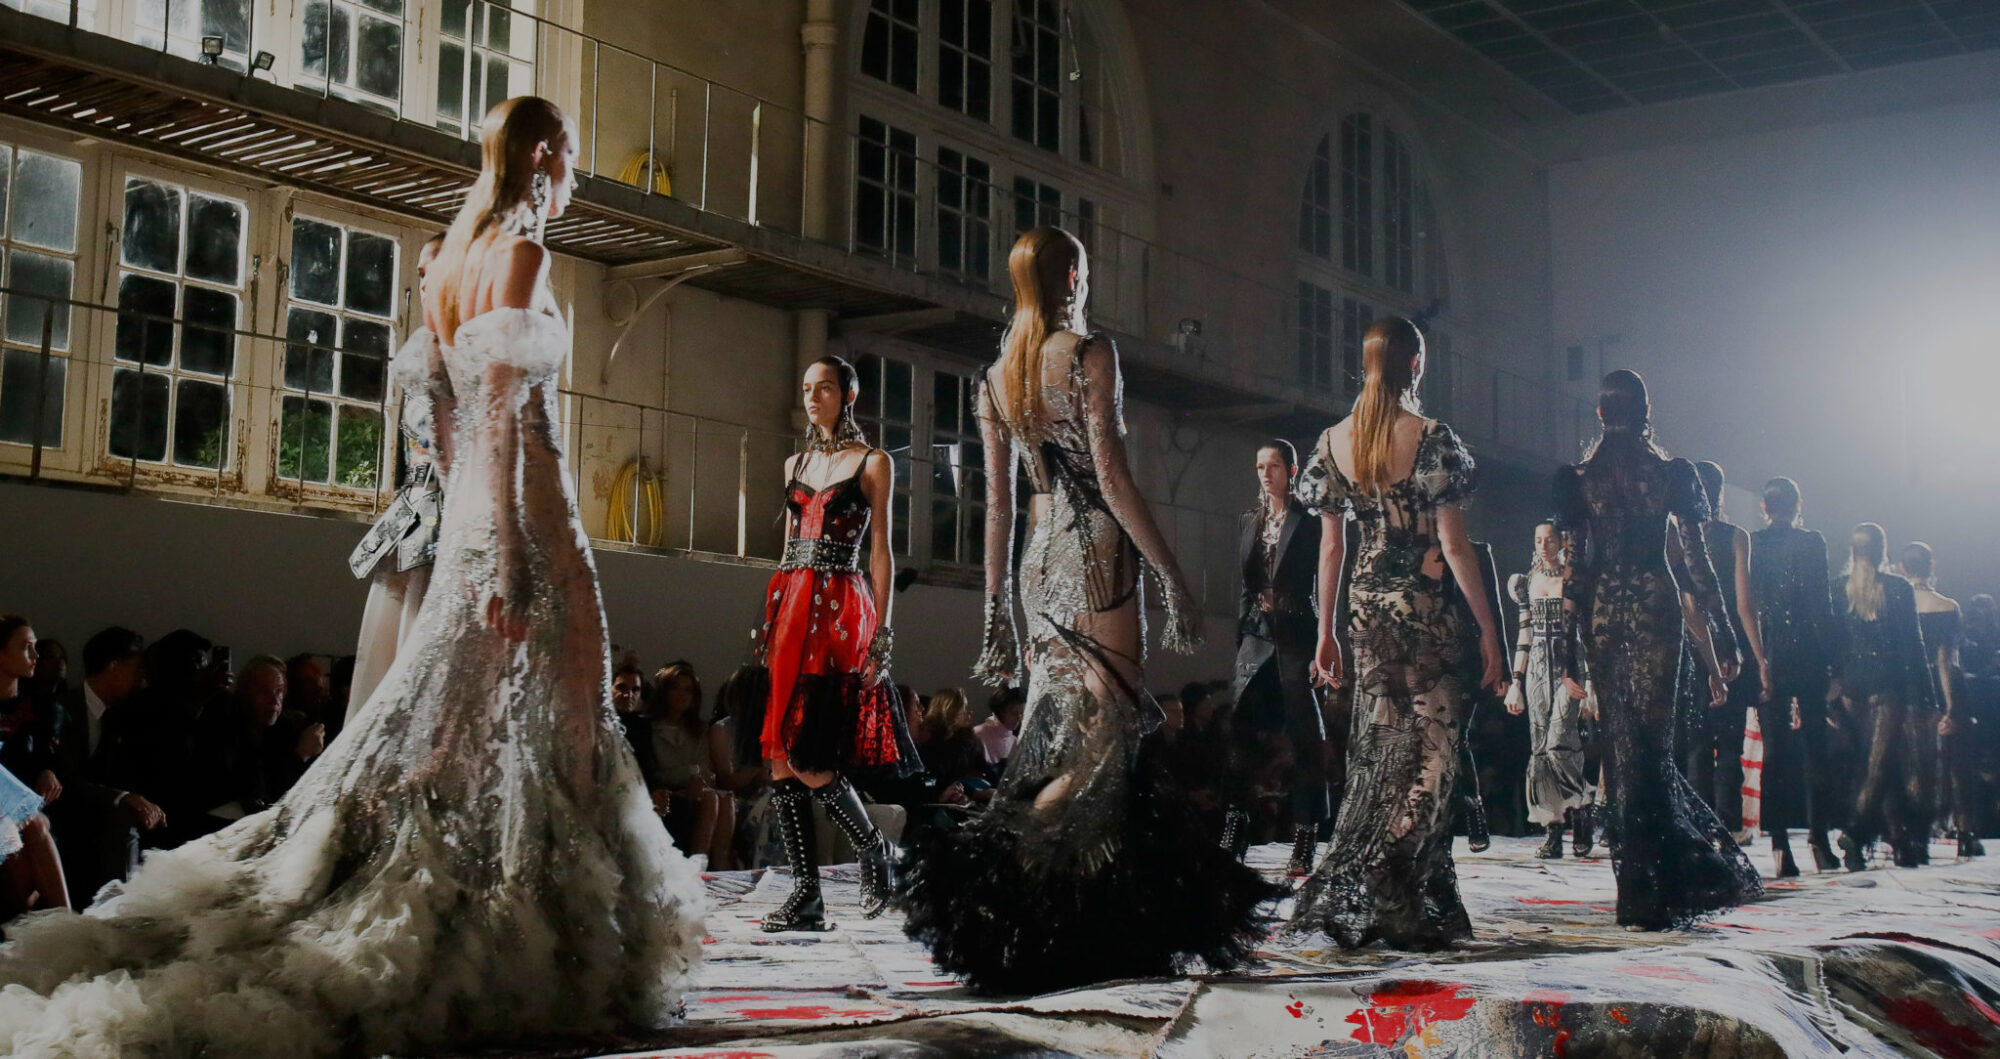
(503, 193)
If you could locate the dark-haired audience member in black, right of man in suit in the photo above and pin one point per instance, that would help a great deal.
(153, 740)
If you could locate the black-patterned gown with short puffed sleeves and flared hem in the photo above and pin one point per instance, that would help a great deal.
(1389, 874)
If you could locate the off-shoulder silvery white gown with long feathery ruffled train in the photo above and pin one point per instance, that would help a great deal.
(473, 860)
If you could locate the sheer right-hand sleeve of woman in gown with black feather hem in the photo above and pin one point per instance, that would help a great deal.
(1103, 401)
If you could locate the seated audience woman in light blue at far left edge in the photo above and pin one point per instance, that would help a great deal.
(31, 874)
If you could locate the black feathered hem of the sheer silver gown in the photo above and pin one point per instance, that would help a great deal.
(1011, 914)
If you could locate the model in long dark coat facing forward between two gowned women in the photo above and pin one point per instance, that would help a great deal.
(1275, 638)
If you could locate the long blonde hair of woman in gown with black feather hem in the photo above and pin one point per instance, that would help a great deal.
(1041, 269)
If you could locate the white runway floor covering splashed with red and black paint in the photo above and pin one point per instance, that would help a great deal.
(1889, 962)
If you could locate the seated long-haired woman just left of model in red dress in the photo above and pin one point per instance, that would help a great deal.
(701, 818)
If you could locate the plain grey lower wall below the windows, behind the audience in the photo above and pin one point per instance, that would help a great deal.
(279, 584)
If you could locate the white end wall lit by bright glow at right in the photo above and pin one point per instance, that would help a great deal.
(1771, 287)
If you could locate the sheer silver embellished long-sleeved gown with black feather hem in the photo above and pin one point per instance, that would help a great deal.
(1089, 864)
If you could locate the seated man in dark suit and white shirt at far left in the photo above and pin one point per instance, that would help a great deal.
(97, 822)
